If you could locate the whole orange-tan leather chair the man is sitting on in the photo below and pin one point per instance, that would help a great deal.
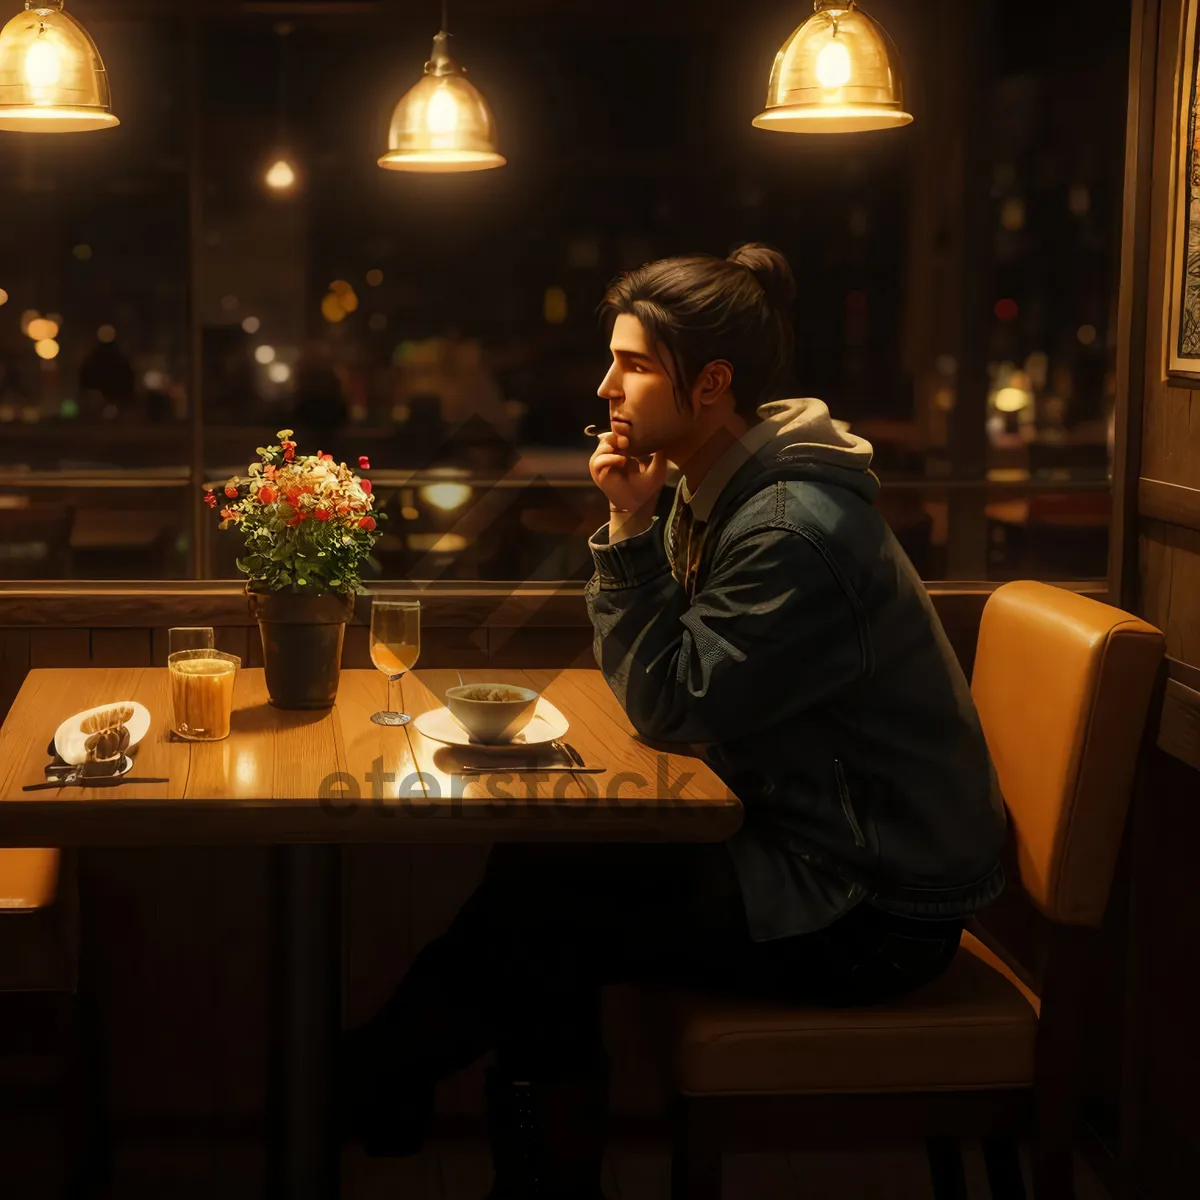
(1063, 686)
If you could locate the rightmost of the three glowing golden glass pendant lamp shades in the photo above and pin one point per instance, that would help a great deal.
(839, 73)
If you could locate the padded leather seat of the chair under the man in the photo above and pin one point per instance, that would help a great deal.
(975, 1028)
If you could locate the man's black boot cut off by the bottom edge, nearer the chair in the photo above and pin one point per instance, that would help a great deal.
(548, 1136)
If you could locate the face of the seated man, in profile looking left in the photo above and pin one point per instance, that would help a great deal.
(640, 393)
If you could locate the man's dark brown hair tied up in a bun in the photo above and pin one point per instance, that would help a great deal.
(701, 309)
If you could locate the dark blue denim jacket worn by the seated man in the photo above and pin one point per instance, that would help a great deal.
(809, 665)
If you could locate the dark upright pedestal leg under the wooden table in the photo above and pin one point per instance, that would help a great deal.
(305, 1151)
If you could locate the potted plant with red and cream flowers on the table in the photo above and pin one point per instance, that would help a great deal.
(309, 527)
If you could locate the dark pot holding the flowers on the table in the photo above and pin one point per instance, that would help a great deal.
(302, 645)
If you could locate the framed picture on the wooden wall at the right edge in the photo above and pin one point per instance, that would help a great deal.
(1183, 317)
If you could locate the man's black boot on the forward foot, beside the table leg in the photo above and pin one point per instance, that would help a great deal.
(388, 1111)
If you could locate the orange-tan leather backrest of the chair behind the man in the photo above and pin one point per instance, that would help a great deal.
(1063, 685)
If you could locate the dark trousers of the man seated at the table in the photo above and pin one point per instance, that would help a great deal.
(521, 968)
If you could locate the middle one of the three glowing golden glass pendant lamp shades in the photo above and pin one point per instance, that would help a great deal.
(442, 123)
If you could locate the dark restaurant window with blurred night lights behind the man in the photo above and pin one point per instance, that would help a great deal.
(447, 328)
